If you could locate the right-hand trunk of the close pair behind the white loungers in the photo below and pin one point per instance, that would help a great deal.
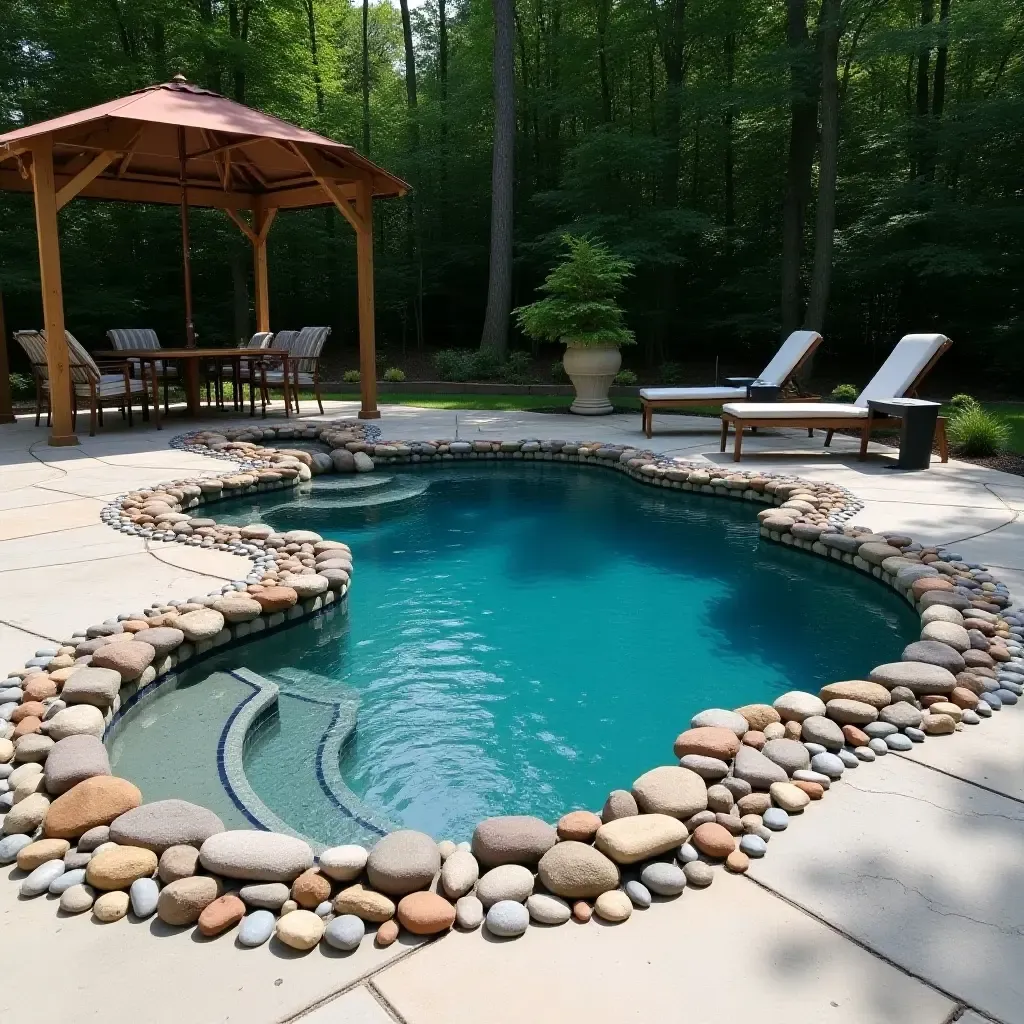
(825, 230)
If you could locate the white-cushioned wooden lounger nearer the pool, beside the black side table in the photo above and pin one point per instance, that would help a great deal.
(899, 377)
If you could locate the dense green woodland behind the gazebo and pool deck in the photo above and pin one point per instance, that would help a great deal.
(713, 144)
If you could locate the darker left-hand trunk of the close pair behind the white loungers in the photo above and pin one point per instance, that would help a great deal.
(803, 136)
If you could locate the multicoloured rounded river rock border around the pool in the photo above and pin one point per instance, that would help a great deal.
(738, 777)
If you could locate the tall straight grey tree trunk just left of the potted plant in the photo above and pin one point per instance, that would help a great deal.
(496, 321)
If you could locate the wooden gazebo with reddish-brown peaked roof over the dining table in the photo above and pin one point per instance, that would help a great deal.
(180, 145)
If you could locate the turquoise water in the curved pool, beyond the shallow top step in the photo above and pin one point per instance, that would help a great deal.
(522, 639)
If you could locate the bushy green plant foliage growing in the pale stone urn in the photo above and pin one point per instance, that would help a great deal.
(580, 308)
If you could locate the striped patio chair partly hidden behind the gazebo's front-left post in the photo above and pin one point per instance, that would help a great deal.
(115, 388)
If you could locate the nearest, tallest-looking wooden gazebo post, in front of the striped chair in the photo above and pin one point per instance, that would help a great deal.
(45, 192)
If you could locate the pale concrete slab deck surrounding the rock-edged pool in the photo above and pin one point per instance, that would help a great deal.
(899, 901)
